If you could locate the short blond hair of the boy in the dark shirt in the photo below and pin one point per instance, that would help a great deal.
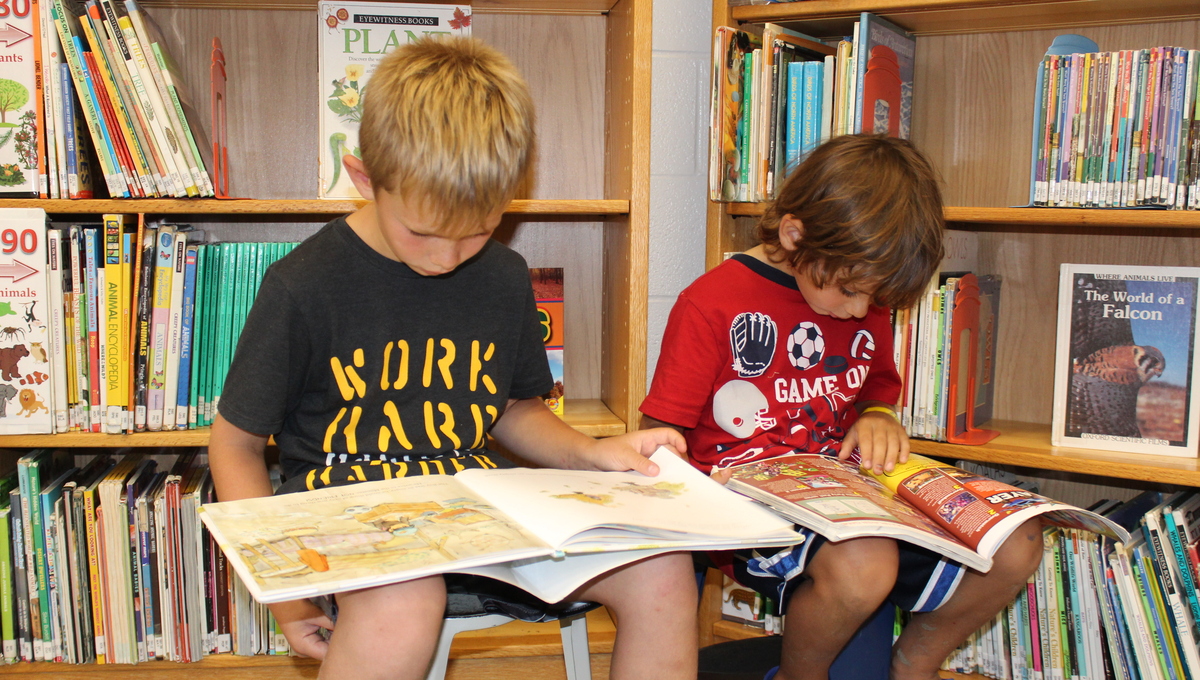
(448, 127)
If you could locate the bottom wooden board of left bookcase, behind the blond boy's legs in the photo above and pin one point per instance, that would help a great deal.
(511, 641)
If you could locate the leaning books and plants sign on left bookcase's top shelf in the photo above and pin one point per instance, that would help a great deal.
(97, 91)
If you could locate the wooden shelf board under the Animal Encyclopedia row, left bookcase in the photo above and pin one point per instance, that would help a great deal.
(590, 417)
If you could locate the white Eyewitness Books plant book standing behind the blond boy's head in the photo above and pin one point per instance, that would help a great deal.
(355, 38)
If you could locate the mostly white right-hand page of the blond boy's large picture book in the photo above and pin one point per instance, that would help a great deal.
(584, 511)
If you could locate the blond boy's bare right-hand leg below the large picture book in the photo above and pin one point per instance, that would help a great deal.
(655, 606)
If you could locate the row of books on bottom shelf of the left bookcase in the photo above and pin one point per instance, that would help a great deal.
(107, 562)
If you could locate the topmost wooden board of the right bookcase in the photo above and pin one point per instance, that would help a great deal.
(835, 19)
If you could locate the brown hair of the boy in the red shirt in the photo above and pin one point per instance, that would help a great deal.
(872, 212)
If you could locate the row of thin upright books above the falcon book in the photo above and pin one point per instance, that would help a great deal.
(1117, 129)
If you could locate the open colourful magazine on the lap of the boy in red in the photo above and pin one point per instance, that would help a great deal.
(963, 516)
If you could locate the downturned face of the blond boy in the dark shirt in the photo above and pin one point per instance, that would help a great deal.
(415, 238)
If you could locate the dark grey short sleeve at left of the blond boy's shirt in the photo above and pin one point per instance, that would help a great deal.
(271, 365)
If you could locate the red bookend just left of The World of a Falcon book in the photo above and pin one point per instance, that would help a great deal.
(965, 322)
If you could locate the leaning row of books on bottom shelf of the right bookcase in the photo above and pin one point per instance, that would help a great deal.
(1099, 609)
